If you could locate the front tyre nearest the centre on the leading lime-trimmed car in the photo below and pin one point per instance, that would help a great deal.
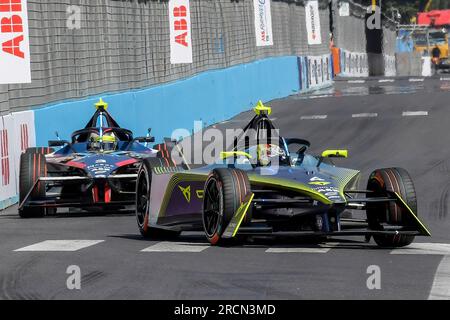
(225, 190)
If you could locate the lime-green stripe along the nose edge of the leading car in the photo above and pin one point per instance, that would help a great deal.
(288, 185)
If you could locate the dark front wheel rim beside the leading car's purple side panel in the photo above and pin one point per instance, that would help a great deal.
(212, 210)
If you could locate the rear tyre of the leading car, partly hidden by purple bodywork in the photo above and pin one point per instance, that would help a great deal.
(143, 189)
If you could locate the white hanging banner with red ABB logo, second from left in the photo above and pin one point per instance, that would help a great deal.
(180, 32)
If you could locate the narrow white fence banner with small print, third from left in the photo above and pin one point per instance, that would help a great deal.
(263, 23)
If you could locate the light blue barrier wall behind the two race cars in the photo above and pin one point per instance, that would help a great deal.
(211, 96)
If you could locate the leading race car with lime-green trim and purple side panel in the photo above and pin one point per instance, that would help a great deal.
(268, 185)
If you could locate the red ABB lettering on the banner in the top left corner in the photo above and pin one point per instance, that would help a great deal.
(11, 23)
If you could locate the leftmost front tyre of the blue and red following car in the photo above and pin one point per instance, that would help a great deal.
(32, 166)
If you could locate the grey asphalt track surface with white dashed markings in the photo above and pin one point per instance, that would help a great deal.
(392, 124)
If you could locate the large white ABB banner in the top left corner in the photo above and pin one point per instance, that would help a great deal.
(14, 42)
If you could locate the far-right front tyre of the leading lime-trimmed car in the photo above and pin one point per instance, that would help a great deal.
(395, 180)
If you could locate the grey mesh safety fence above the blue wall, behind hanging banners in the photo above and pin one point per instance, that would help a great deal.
(124, 45)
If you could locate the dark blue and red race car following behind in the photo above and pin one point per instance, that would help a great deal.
(97, 169)
